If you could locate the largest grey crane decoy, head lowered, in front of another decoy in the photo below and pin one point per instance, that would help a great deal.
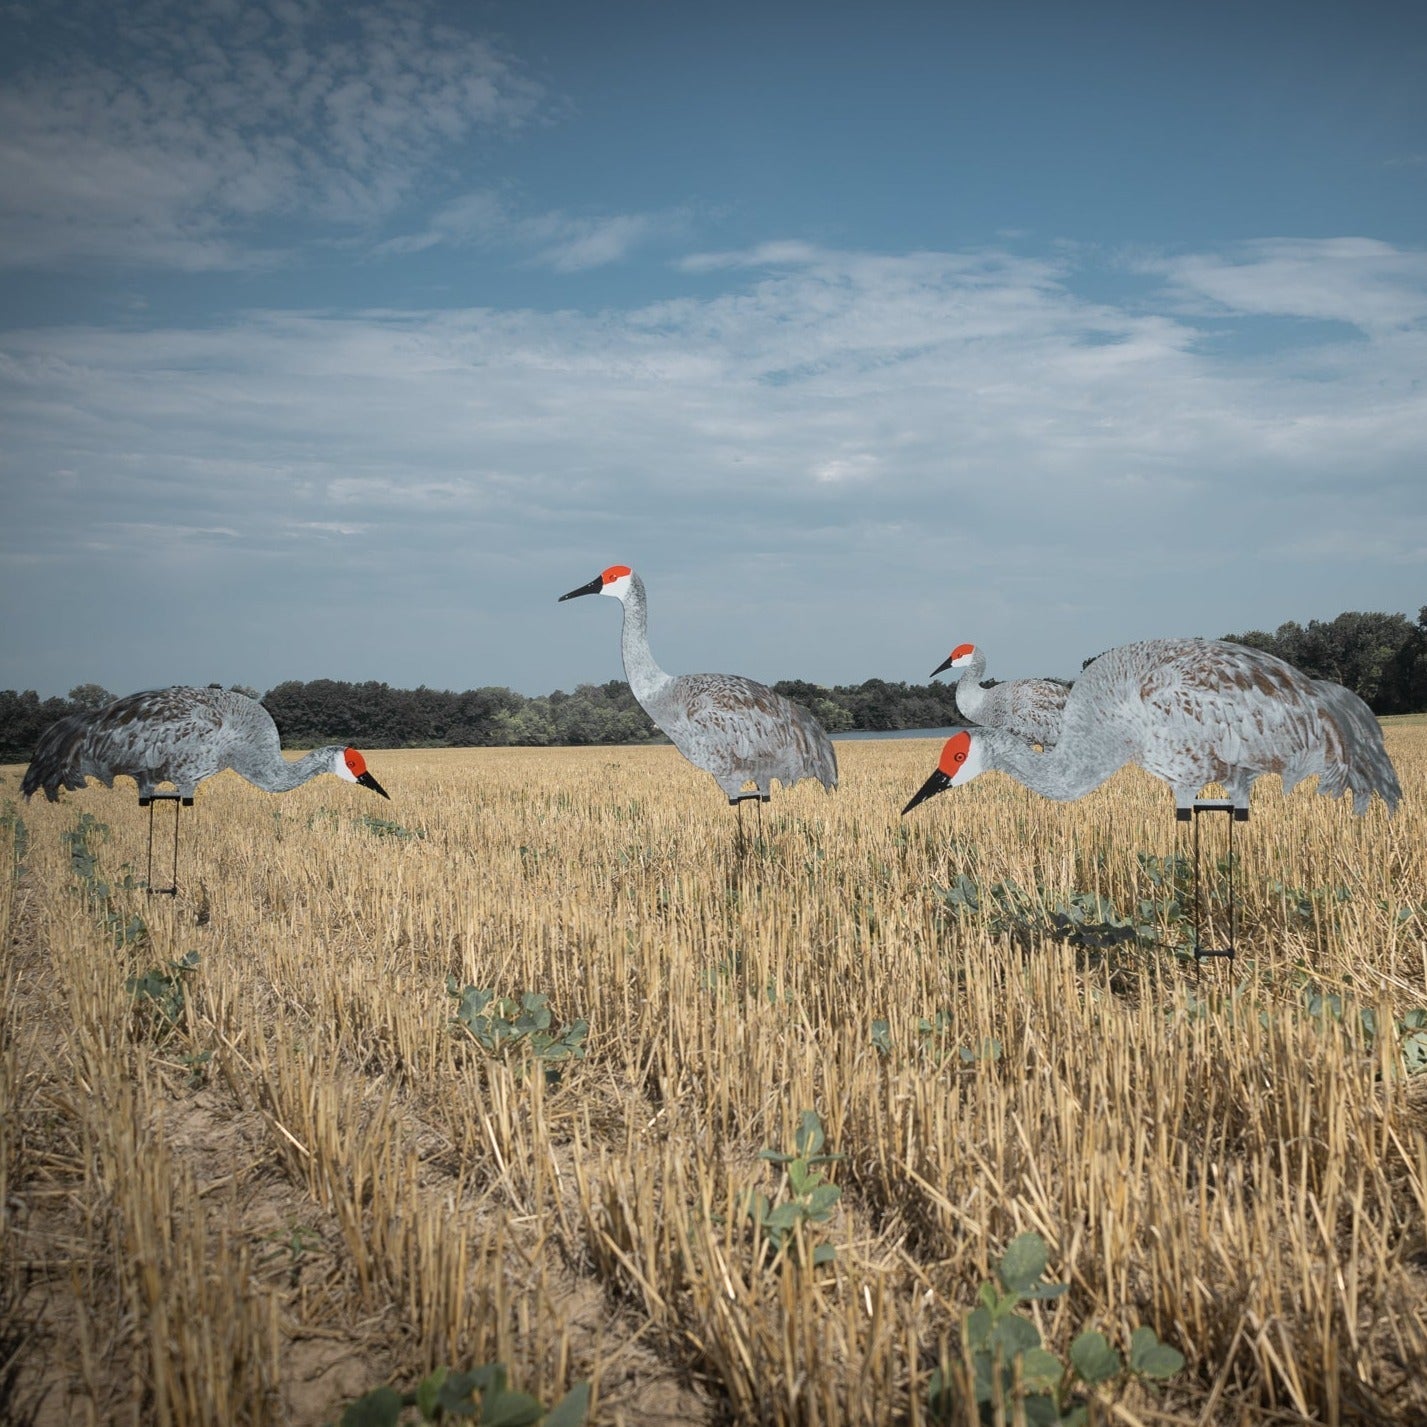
(1192, 713)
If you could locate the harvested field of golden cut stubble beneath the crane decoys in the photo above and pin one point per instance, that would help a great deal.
(266, 1145)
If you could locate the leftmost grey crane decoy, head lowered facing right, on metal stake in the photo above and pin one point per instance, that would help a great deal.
(179, 736)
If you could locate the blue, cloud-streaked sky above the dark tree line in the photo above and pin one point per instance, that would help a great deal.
(340, 340)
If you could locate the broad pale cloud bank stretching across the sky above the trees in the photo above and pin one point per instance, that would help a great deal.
(913, 439)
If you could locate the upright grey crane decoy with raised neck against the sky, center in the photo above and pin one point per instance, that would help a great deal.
(734, 728)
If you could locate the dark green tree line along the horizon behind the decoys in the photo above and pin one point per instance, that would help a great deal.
(1383, 659)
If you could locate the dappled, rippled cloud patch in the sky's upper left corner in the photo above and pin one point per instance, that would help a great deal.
(198, 123)
